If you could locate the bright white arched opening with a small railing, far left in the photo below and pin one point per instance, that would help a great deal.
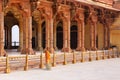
(15, 36)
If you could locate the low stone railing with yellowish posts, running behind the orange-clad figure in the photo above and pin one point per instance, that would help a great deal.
(25, 62)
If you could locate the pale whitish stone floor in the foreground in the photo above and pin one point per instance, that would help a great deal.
(108, 69)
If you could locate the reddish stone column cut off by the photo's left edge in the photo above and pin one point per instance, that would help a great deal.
(2, 51)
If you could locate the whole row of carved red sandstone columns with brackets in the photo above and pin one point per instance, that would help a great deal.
(44, 13)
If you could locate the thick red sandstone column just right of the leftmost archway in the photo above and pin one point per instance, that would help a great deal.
(27, 48)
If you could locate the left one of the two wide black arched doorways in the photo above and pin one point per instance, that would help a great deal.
(59, 35)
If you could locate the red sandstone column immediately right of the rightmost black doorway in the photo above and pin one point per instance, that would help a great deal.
(80, 20)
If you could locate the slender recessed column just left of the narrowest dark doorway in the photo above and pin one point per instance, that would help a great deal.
(39, 36)
